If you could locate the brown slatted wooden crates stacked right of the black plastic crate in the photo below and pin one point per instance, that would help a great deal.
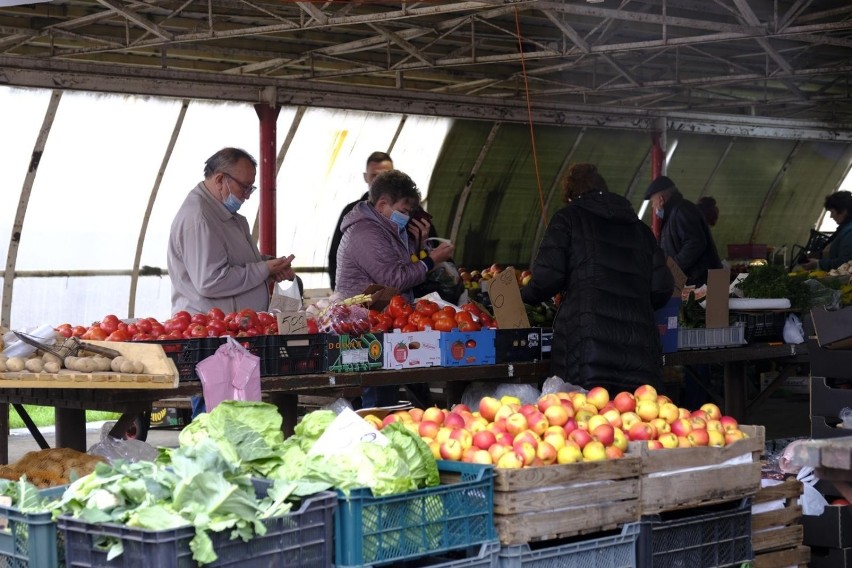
(777, 534)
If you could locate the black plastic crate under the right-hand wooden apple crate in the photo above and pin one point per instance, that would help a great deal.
(707, 537)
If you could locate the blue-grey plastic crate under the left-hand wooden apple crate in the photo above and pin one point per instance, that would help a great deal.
(604, 551)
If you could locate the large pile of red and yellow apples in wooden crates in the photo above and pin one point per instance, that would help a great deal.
(564, 428)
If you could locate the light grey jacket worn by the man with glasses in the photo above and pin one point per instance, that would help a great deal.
(212, 259)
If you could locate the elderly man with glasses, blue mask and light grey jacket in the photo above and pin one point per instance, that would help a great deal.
(213, 261)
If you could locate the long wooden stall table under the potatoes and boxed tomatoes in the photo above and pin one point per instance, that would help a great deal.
(282, 391)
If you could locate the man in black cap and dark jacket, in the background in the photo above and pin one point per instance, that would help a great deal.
(684, 233)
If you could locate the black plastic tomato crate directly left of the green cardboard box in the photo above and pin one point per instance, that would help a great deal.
(282, 355)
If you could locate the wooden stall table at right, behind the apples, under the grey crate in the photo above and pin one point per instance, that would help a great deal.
(735, 361)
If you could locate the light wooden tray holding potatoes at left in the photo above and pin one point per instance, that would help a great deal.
(160, 372)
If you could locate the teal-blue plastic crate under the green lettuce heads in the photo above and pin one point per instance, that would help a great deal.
(457, 514)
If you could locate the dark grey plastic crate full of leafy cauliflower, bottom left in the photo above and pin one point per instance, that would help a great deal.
(302, 538)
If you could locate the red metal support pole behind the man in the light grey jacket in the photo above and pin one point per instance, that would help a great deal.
(268, 116)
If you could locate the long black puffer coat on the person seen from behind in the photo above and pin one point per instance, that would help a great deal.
(612, 276)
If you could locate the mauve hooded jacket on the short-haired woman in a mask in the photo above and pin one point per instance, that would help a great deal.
(374, 251)
